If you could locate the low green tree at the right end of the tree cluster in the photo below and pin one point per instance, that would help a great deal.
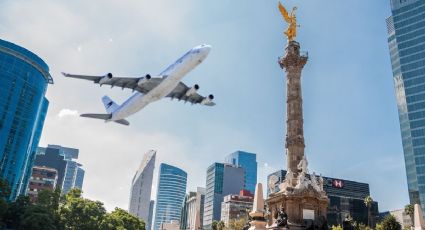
(121, 219)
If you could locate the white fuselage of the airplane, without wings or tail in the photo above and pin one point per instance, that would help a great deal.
(172, 76)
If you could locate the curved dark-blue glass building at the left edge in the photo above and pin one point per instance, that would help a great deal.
(23, 83)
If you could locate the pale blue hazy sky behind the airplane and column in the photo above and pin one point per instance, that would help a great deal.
(350, 115)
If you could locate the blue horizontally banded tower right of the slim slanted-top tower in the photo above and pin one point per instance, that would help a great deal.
(171, 191)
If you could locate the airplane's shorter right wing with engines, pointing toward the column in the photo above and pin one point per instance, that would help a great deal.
(180, 93)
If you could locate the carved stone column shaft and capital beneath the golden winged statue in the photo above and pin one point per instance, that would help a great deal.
(293, 63)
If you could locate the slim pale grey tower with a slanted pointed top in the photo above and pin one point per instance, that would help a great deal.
(141, 186)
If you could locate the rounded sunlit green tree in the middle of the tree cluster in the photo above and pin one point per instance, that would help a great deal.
(79, 213)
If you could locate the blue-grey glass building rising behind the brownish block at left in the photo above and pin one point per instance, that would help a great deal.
(70, 173)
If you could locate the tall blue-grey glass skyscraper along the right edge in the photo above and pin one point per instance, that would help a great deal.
(406, 38)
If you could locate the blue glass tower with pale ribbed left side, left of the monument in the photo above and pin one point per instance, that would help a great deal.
(222, 180)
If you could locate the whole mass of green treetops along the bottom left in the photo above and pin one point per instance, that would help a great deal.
(51, 211)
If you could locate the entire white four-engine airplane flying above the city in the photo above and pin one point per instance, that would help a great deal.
(151, 88)
